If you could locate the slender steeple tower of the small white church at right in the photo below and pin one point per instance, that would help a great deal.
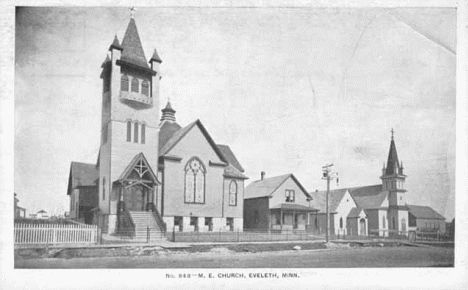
(393, 181)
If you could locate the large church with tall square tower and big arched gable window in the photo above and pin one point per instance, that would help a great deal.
(151, 171)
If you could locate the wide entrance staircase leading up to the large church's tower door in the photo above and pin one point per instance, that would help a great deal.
(146, 227)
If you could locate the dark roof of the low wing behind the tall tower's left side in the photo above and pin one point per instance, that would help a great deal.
(82, 174)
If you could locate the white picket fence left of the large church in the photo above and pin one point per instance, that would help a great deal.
(55, 234)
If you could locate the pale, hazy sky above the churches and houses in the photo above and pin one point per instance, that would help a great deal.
(288, 89)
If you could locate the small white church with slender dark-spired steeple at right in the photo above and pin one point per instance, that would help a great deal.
(379, 209)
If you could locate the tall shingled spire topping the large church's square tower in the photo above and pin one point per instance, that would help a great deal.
(132, 49)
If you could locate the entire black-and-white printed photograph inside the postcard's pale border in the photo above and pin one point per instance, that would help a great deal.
(235, 142)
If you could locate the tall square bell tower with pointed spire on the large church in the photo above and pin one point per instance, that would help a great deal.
(129, 123)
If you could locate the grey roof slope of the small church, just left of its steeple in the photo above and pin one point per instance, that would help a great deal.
(368, 197)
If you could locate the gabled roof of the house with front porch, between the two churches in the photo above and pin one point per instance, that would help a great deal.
(267, 186)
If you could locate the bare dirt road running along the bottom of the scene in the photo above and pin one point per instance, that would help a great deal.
(330, 258)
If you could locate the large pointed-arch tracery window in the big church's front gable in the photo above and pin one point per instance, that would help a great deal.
(194, 181)
